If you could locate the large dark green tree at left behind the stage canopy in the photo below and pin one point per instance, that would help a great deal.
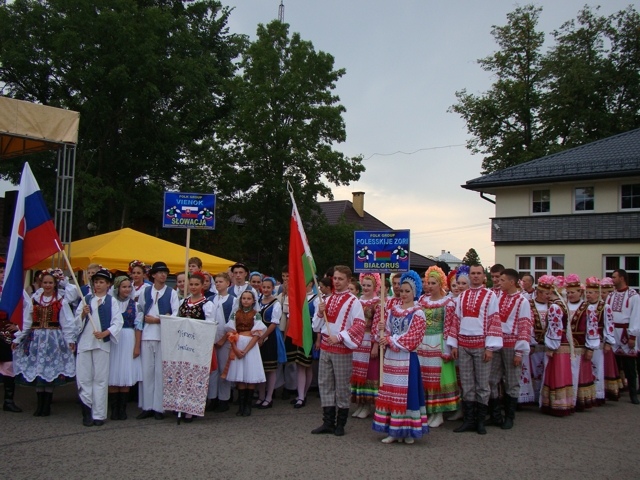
(148, 78)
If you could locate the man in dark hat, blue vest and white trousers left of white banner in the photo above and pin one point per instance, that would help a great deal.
(157, 300)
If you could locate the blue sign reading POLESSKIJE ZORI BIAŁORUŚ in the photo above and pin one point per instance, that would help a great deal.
(381, 252)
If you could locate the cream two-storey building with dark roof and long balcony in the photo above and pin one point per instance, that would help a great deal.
(576, 211)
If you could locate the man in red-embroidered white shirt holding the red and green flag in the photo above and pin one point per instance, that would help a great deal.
(342, 332)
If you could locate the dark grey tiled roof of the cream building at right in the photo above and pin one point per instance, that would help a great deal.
(607, 158)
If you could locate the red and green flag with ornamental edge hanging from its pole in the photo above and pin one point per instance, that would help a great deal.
(301, 271)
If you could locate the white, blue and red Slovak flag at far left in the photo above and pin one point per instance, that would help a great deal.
(33, 239)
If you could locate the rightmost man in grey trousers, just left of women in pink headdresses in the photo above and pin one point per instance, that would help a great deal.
(515, 315)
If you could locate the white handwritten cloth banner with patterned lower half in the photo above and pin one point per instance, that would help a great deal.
(187, 346)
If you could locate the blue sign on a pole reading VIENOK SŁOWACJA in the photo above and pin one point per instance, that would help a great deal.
(189, 210)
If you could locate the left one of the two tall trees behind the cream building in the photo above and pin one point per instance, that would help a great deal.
(503, 121)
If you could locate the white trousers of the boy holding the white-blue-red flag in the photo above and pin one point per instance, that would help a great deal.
(92, 377)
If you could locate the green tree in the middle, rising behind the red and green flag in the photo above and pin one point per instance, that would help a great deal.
(283, 128)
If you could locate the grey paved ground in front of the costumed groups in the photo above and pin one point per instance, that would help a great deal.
(276, 443)
